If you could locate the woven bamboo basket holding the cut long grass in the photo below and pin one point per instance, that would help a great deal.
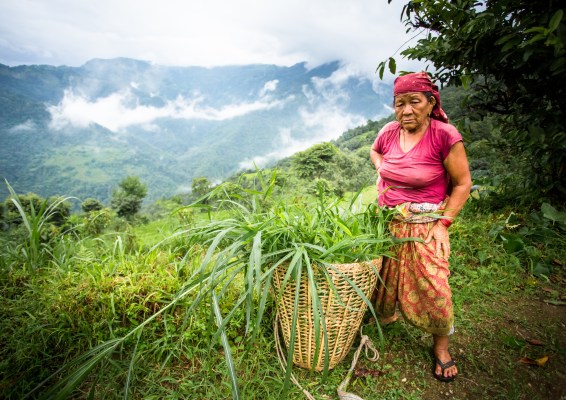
(343, 314)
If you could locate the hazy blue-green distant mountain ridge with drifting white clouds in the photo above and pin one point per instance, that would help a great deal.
(79, 130)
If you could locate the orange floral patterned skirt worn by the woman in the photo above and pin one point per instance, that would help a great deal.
(418, 280)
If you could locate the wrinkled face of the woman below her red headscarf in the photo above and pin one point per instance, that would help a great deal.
(412, 110)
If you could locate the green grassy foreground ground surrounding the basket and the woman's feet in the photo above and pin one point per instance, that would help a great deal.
(113, 311)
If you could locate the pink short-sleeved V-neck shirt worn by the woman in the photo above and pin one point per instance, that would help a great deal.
(418, 175)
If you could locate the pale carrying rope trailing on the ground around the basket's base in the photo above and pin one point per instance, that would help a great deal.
(365, 344)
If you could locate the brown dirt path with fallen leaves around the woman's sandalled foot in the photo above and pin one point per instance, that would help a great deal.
(491, 348)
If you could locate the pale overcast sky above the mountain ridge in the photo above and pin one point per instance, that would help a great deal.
(205, 33)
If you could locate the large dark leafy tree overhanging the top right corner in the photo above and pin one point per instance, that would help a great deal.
(512, 56)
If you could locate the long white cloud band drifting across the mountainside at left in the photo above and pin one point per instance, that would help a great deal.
(116, 113)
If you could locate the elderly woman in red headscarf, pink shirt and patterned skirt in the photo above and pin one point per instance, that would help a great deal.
(423, 172)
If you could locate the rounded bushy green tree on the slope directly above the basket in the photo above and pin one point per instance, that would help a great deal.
(311, 163)
